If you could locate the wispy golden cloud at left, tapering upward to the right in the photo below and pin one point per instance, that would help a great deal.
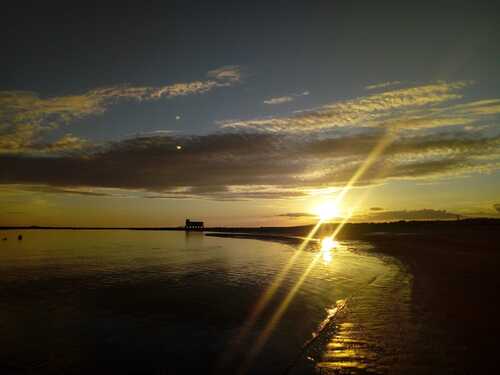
(25, 117)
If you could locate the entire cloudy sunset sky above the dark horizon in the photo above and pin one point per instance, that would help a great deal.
(248, 113)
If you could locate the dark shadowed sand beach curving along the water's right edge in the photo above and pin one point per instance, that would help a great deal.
(455, 291)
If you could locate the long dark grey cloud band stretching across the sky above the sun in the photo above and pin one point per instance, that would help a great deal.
(252, 165)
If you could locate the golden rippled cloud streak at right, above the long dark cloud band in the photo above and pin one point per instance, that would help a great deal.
(402, 108)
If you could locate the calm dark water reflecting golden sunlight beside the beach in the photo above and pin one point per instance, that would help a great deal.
(144, 302)
